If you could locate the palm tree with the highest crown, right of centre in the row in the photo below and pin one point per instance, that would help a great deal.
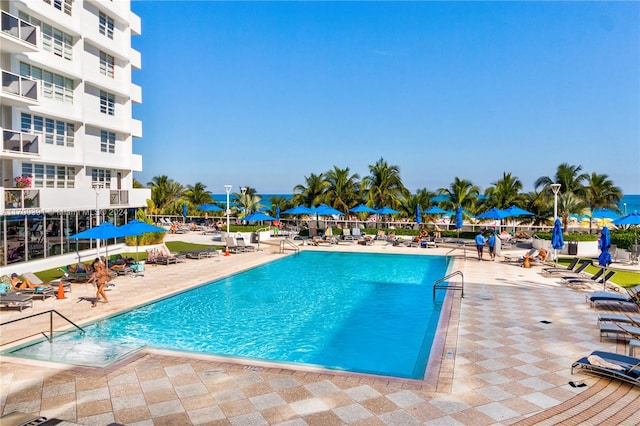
(383, 186)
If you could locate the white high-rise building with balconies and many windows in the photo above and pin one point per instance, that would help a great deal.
(66, 161)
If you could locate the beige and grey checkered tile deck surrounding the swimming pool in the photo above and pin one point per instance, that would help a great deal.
(507, 356)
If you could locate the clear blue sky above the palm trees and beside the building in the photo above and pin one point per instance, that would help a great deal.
(263, 94)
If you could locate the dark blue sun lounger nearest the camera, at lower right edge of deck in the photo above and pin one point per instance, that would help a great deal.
(610, 365)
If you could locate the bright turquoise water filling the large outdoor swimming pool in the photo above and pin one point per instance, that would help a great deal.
(369, 313)
